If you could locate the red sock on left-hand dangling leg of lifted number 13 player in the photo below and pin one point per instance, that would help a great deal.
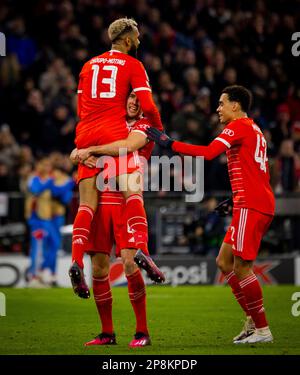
(81, 231)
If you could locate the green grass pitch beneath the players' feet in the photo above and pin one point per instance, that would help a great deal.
(182, 320)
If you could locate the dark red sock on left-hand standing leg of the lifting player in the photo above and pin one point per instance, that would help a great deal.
(103, 300)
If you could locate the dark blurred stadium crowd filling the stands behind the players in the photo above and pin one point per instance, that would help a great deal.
(191, 50)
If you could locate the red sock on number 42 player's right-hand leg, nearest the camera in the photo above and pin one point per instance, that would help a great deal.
(254, 300)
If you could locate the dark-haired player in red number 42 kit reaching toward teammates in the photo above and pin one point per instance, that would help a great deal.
(253, 203)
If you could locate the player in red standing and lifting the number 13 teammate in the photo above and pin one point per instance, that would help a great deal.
(108, 227)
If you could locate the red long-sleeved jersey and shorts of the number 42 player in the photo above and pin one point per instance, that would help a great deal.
(253, 199)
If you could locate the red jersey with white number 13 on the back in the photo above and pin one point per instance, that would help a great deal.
(104, 84)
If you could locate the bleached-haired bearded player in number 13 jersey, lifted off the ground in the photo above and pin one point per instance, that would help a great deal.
(104, 84)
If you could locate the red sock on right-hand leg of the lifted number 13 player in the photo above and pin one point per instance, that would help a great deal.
(137, 221)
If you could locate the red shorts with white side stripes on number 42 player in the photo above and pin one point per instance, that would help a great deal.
(246, 231)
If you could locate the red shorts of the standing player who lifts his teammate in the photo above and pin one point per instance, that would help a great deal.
(109, 227)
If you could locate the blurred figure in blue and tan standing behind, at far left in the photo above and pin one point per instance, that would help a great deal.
(50, 190)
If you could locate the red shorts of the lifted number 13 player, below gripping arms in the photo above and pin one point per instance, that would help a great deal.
(111, 167)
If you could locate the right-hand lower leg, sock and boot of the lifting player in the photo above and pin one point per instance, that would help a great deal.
(137, 296)
